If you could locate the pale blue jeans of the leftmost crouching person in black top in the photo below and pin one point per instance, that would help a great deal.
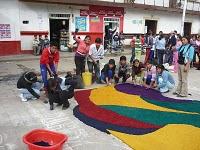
(35, 86)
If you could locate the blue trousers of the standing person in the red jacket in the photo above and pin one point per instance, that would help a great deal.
(43, 69)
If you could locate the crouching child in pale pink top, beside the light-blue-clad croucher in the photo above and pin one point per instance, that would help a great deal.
(150, 75)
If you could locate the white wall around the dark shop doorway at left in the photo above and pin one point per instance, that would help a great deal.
(38, 16)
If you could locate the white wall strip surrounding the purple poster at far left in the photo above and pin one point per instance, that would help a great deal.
(9, 14)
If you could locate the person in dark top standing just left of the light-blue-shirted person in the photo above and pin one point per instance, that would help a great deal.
(172, 43)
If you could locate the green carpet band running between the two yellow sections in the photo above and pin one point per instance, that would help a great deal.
(155, 117)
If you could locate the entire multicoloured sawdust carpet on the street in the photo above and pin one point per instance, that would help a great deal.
(142, 118)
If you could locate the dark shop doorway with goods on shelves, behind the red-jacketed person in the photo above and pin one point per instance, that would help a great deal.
(59, 32)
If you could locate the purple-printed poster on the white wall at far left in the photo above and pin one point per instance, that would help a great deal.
(5, 31)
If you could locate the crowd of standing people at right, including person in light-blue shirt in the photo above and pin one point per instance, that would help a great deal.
(174, 50)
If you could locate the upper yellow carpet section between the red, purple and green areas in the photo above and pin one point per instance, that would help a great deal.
(110, 96)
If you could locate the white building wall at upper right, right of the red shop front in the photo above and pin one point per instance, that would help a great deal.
(134, 21)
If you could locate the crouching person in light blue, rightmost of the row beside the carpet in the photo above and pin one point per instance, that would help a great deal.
(165, 81)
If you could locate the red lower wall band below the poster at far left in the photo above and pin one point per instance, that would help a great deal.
(10, 47)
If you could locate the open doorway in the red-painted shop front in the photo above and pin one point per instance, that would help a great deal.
(110, 23)
